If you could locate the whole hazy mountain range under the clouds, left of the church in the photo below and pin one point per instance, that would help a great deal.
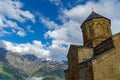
(27, 66)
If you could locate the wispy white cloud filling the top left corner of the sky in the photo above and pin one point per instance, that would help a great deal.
(12, 9)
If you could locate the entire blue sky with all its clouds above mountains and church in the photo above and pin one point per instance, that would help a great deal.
(46, 28)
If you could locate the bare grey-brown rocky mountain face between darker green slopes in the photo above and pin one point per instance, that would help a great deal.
(23, 62)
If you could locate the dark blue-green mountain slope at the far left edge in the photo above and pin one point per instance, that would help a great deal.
(8, 71)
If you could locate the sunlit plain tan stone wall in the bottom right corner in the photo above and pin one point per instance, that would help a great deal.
(107, 65)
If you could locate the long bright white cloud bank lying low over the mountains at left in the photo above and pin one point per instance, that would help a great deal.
(35, 48)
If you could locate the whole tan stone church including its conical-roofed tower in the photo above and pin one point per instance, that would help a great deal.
(99, 56)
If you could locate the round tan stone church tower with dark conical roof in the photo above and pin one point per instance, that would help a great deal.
(95, 29)
